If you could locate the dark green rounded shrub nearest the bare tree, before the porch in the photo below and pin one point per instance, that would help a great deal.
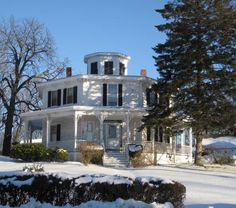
(29, 152)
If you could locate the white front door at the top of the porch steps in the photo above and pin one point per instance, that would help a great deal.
(113, 135)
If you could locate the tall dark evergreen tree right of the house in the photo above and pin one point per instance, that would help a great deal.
(196, 66)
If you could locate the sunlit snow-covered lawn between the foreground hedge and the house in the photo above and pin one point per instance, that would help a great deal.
(205, 188)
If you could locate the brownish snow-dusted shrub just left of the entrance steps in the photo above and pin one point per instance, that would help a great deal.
(91, 152)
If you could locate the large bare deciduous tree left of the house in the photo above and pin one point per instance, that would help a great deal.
(27, 56)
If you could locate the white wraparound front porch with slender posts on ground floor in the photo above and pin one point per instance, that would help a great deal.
(113, 129)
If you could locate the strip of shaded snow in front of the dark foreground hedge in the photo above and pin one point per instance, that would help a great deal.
(131, 203)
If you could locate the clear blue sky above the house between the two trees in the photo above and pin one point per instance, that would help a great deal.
(80, 27)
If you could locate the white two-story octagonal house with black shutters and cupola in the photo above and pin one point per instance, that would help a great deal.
(105, 106)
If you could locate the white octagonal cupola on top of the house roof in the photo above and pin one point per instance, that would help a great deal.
(107, 63)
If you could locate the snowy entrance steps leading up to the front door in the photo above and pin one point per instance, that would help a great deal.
(115, 159)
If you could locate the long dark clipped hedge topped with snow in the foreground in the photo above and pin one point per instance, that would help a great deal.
(61, 191)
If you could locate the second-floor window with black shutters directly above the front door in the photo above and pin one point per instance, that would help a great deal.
(112, 94)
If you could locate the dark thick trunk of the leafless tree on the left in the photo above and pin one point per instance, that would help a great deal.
(8, 130)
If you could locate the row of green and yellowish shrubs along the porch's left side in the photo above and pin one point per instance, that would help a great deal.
(38, 152)
